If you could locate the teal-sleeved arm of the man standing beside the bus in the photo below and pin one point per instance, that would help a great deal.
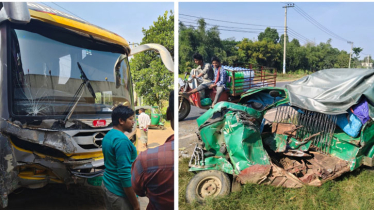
(123, 156)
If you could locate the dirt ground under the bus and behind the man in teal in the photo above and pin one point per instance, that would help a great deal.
(59, 197)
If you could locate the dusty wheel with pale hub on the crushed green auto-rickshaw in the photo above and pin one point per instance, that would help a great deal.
(205, 184)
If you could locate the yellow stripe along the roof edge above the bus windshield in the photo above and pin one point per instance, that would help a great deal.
(82, 27)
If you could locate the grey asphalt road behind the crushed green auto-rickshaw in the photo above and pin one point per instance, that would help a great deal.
(188, 128)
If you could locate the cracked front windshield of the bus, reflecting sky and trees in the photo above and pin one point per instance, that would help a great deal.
(45, 76)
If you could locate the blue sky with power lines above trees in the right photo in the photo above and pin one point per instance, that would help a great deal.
(350, 21)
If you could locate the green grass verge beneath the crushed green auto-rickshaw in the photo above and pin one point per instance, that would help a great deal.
(352, 191)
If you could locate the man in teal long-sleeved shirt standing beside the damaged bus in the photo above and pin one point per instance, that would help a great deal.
(119, 154)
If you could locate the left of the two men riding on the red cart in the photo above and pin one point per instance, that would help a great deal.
(205, 71)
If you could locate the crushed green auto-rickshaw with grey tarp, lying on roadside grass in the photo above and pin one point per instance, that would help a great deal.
(288, 137)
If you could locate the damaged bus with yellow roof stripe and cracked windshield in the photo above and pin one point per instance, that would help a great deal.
(60, 78)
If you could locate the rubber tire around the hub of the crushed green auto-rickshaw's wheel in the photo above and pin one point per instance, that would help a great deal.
(203, 178)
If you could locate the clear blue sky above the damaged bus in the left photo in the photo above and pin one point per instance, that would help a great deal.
(123, 18)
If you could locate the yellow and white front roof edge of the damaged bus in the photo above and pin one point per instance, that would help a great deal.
(58, 18)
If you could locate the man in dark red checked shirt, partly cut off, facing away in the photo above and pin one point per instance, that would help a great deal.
(153, 170)
